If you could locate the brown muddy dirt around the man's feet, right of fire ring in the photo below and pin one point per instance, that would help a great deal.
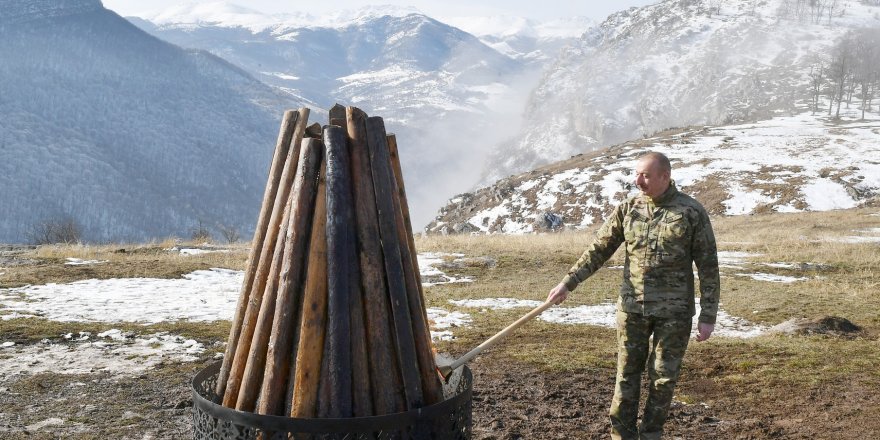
(514, 401)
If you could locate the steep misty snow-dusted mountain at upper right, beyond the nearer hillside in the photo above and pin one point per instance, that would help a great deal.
(673, 64)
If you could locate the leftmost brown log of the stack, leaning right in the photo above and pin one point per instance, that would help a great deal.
(288, 123)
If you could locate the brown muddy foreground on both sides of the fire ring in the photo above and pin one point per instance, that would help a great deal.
(511, 401)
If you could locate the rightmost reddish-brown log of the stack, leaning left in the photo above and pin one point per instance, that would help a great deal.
(431, 385)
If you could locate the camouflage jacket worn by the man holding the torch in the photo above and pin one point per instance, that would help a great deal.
(662, 238)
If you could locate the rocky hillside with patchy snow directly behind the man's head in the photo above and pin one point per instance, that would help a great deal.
(803, 162)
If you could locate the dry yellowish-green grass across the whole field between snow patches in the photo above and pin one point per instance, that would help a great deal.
(842, 280)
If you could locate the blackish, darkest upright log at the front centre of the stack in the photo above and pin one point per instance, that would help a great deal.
(341, 262)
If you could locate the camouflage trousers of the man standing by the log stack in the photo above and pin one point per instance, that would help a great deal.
(663, 355)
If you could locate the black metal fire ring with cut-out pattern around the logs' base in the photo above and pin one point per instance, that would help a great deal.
(447, 420)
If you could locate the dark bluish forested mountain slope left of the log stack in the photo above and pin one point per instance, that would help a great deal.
(131, 137)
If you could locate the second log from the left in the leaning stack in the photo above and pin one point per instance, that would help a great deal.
(255, 296)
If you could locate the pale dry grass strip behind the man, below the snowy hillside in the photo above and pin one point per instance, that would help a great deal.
(844, 284)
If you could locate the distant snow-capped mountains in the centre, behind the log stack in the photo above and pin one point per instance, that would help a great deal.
(443, 91)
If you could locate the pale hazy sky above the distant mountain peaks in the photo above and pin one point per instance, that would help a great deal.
(541, 10)
